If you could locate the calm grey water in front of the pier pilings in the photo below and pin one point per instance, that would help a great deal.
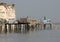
(35, 36)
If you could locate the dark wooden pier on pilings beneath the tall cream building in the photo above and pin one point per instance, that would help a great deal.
(14, 27)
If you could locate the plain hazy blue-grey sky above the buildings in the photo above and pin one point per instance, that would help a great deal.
(37, 9)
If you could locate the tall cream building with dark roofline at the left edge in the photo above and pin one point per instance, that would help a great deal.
(7, 11)
